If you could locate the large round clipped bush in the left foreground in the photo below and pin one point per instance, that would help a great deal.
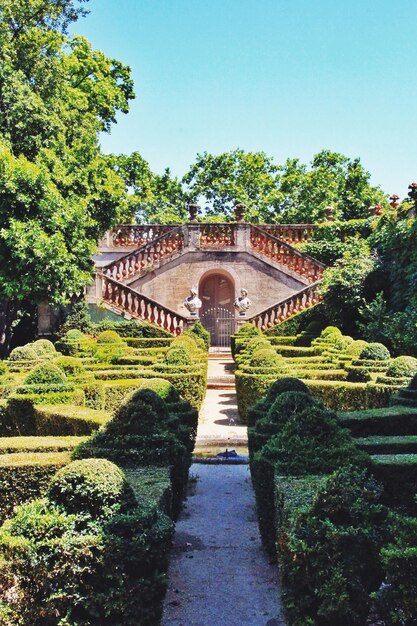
(93, 486)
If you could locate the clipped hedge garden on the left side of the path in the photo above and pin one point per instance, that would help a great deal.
(96, 437)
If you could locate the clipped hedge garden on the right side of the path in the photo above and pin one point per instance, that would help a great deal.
(332, 426)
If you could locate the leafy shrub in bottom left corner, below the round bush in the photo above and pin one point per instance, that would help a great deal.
(113, 567)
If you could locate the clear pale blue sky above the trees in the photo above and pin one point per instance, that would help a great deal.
(289, 77)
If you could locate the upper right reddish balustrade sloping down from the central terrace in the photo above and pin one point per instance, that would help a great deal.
(284, 254)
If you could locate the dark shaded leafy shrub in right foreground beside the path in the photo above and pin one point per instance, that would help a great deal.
(329, 551)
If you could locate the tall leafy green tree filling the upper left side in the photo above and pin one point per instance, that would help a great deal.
(58, 192)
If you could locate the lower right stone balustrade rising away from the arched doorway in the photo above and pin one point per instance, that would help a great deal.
(303, 299)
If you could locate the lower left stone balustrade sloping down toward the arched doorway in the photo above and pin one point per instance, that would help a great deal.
(141, 307)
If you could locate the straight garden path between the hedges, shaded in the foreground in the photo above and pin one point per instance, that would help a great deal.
(219, 573)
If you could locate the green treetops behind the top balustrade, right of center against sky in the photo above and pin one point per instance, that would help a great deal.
(290, 193)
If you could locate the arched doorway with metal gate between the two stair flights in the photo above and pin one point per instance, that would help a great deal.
(217, 313)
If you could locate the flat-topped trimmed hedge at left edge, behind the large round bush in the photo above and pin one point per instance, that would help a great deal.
(24, 476)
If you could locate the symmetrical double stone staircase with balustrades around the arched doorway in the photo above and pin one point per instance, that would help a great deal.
(130, 254)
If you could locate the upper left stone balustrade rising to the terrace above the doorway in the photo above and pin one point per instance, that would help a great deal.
(148, 256)
